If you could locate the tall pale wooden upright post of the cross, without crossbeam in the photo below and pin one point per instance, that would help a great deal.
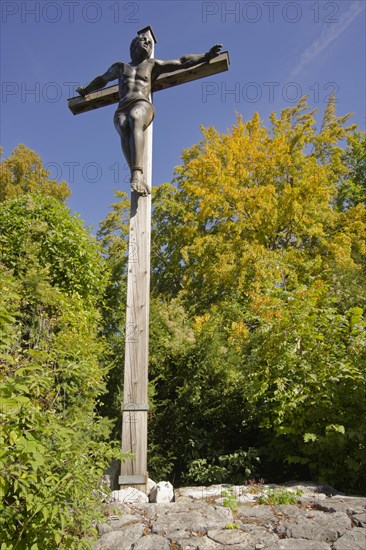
(135, 388)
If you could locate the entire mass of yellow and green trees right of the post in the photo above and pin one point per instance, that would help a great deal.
(269, 272)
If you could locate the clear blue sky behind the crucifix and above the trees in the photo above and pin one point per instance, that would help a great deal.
(279, 50)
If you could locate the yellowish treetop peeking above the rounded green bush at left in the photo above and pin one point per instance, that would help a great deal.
(23, 172)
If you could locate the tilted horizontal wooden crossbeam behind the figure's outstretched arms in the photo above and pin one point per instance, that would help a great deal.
(110, 95)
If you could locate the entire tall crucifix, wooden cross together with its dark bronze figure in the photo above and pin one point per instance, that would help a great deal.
(137, 80)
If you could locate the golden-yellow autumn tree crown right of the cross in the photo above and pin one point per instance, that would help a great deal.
(257, 207)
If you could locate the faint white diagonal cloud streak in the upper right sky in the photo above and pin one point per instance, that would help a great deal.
(327, 35)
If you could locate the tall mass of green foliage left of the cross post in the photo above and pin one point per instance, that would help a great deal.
(53, 444)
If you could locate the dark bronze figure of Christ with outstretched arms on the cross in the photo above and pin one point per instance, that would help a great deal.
(135, 111)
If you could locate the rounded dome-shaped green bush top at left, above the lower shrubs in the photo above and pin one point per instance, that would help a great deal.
(39, 238)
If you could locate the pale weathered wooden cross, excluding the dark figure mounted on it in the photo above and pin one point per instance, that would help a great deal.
(135, 399)
